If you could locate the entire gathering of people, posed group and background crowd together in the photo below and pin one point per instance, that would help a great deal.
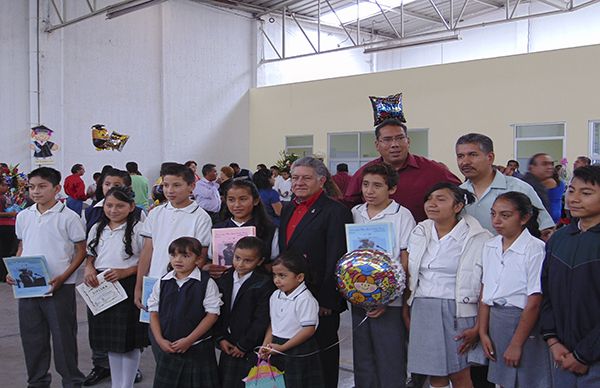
(502, 270)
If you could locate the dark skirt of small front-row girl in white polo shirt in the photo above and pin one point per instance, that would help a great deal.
(300, 372)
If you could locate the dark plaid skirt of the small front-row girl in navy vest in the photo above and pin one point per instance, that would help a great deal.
(196, 368)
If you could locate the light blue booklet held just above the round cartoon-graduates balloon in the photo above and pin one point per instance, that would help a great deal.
(374, 235)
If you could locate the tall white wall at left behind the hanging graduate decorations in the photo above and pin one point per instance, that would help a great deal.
(175, 77)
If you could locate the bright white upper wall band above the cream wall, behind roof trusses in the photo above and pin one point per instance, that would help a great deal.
(572, 29)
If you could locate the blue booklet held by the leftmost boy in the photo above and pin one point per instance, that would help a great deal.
(31, 275)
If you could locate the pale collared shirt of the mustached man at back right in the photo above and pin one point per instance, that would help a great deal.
(502, 184)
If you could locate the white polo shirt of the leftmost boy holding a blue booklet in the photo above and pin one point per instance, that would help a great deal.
(52, 234)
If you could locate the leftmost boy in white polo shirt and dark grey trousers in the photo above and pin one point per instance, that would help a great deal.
(48, 228)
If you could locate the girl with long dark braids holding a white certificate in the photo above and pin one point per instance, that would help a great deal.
(114, 244)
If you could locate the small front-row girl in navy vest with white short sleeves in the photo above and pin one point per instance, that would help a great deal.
(184, 306)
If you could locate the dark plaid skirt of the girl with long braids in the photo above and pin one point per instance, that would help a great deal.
(118, 329)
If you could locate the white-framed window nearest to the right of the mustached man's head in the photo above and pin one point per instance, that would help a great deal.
(531, 139)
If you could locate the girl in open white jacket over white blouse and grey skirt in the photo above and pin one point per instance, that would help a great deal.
(444, 265)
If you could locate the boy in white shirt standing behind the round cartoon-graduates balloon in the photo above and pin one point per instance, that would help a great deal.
(384, 333)
